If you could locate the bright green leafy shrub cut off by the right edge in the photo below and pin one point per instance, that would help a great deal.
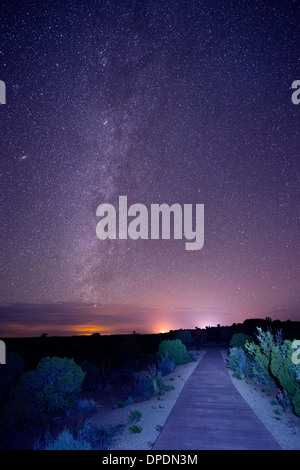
(286, 372)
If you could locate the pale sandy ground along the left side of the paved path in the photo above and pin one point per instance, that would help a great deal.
(154, 412)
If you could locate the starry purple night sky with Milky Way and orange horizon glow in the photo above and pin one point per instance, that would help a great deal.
(168, 101)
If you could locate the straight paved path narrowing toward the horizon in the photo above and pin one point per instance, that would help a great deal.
(211, 414)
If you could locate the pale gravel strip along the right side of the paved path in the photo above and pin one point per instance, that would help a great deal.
(283, 425)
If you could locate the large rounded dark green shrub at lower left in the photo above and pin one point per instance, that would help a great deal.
(52, 387)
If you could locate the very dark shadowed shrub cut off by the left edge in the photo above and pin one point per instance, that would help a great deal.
(10, 373)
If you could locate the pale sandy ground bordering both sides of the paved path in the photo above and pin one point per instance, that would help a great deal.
(283, 425)
